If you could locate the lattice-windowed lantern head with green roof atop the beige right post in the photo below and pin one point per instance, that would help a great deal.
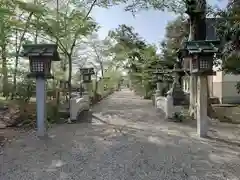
(202, 54)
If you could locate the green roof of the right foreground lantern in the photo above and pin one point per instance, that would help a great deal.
(200, 47)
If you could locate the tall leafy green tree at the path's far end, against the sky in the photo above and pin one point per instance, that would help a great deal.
(133, 53)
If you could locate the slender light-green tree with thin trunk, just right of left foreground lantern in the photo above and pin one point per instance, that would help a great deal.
(74, 24)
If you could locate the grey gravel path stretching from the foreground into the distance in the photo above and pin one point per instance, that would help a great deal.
(127, 140)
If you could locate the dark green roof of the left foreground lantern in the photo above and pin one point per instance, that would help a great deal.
(41, 50)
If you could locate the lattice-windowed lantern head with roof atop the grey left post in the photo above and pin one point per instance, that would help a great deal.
(40, 57)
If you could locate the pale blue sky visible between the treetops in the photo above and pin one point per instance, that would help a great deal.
(149, 24)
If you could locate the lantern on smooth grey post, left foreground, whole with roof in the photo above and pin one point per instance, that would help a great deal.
(40, 58)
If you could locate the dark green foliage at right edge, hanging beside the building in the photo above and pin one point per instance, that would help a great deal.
(229, 31)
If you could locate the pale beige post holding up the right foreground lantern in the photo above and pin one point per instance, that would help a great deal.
(202, 118)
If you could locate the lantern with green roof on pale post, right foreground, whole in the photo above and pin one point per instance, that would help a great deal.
(202, 54)
